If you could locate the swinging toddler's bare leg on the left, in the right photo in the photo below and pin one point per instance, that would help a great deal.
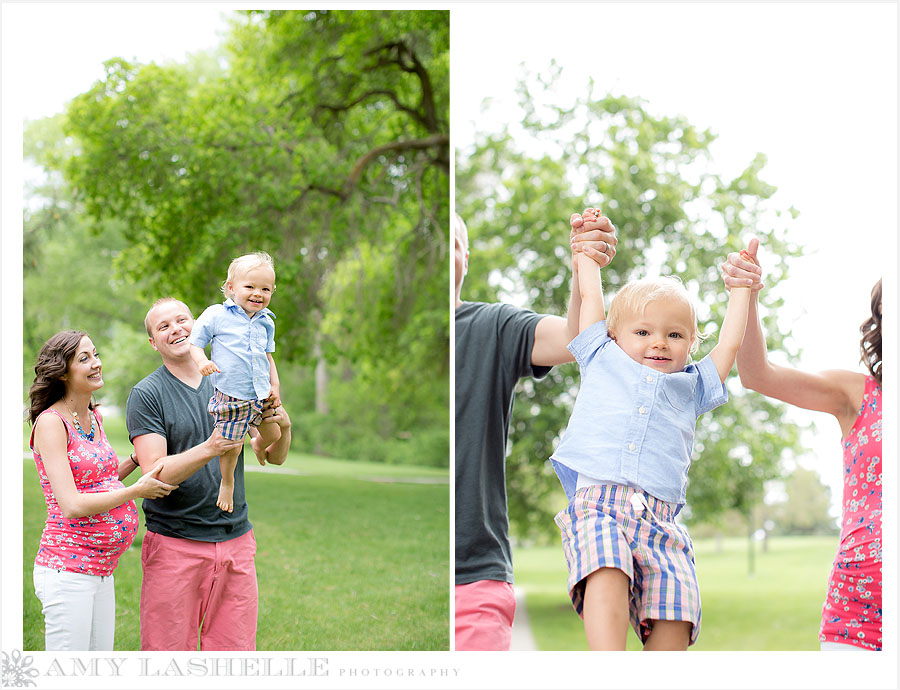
(606, 609)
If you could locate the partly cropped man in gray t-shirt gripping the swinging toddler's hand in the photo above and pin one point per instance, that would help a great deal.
(496, 345)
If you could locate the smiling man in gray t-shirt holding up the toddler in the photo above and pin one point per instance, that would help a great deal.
(199, 575)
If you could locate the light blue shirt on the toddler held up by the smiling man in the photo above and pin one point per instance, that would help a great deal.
(240, 344)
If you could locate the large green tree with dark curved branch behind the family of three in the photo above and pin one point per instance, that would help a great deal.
(318, 136)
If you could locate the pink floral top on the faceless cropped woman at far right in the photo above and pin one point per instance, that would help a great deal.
(852, 610)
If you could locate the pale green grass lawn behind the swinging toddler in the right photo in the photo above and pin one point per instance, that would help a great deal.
(778, 608)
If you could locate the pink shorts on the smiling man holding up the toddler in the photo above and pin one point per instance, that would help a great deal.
(188, 583)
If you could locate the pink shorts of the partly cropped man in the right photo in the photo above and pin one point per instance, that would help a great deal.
(484, 616)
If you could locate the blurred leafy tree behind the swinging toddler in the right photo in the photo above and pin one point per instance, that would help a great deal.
(653, 176)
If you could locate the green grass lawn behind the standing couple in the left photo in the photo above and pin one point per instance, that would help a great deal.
(342, 563)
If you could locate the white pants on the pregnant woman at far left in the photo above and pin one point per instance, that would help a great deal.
(79, 610)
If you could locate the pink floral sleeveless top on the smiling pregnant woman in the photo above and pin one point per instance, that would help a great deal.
(91, 544)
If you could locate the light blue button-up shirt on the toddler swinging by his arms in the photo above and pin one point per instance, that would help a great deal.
(632, 424)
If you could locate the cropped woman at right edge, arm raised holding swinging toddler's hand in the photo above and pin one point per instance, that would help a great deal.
(851, 615)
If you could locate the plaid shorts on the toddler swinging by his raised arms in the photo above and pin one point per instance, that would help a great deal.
(614, 526)
